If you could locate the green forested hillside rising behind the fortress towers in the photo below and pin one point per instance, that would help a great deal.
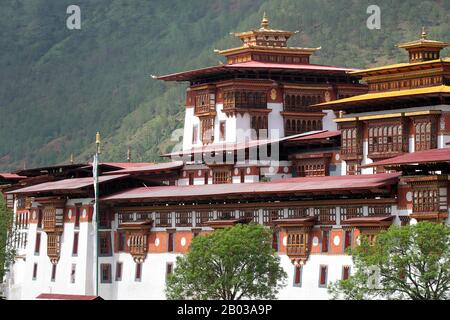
(59, 86)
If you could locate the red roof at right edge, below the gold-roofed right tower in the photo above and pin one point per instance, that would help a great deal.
(433, 155)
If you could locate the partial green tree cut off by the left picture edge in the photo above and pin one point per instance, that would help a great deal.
(7, 252)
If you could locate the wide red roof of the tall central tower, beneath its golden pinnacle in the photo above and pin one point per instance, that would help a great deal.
(186, 75)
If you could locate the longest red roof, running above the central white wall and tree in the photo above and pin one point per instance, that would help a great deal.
(283, 186)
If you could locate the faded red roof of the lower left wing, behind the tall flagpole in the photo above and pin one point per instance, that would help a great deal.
(66, 184)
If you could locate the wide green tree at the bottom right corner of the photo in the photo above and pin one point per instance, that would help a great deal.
(410, 262)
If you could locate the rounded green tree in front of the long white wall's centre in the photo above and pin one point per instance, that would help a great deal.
(229, 264)
